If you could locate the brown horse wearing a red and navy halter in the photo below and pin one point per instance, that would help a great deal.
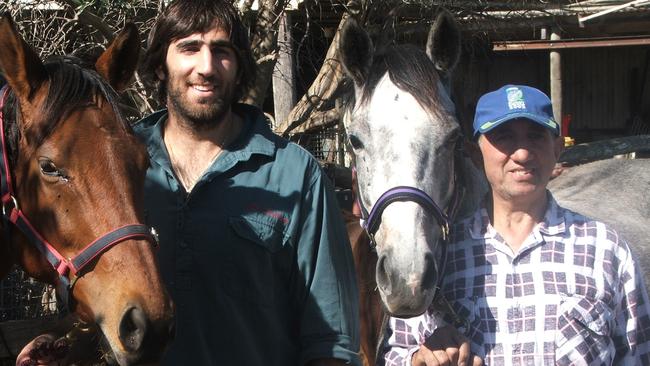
(75, 172)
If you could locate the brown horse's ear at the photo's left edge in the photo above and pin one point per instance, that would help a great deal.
(22, 67)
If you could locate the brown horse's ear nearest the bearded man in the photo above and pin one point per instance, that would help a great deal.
(118, 63)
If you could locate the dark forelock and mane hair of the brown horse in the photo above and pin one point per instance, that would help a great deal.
(72, 85)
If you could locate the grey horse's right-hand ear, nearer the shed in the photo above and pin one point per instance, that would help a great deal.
(443, 43)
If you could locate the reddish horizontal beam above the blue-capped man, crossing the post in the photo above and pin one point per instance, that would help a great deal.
(571, 43)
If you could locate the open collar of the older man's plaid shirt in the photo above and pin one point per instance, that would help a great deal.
(554, 223)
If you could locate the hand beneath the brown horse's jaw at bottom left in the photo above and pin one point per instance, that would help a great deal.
(43, 350)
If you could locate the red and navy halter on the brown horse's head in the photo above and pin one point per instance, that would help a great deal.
(69, 269)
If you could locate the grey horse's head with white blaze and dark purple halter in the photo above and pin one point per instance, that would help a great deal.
(402, 128)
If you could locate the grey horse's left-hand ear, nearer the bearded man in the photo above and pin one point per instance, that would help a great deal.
(356, 51)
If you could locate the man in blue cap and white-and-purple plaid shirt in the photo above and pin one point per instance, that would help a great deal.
(533, 283)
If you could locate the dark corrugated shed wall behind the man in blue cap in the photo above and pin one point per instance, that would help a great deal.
(601, 86)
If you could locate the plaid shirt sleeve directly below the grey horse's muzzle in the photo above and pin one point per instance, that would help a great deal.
(404, 336)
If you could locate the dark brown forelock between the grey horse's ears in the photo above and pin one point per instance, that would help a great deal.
(409, 69)
